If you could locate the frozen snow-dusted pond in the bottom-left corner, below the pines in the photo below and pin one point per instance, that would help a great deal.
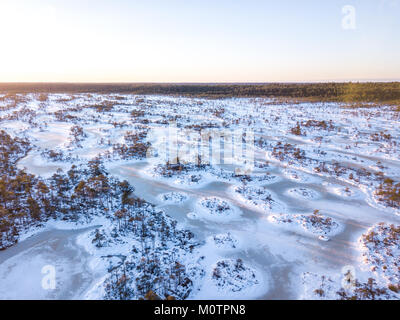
(22, 273)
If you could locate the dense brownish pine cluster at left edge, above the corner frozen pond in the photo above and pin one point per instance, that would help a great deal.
(27, 200)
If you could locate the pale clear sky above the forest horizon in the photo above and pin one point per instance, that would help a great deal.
(199, 41)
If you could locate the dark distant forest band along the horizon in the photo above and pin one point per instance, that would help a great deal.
(378, 92)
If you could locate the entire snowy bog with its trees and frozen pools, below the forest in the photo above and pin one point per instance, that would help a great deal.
(90, 195)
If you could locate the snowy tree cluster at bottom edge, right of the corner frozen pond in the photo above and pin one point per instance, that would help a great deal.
(154, 264)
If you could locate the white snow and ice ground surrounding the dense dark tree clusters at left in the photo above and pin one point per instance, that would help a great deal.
(255, 233)
